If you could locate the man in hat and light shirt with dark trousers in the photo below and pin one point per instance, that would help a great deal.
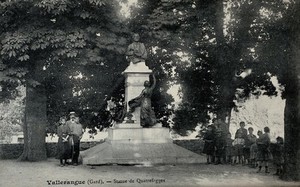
(76, 133)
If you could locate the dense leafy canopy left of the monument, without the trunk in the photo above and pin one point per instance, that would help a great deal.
(73, 48)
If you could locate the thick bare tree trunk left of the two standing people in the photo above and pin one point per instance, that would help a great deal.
(35, 124)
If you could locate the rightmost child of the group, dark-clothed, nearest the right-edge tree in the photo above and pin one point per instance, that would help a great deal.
(278, 155)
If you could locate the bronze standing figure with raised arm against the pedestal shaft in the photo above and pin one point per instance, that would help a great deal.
(147, 115)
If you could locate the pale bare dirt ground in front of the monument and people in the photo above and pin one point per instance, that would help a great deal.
(48, 173)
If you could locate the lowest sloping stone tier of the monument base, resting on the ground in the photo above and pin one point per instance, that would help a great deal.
(139, 153)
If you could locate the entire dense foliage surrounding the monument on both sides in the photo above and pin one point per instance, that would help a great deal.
(76, 49)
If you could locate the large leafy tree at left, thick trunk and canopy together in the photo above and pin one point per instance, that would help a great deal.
(42, 39)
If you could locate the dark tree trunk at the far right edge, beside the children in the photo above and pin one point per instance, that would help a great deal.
(291, 118)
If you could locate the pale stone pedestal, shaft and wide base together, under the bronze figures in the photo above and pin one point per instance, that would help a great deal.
(129, 143)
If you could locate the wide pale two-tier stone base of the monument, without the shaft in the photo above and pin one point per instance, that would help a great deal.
(139, 146)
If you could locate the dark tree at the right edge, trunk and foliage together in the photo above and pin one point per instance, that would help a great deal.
(281, 56)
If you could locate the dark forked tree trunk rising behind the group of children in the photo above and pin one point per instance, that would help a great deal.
(228, 62)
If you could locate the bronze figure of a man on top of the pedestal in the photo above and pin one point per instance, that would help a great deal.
(136, 52)
